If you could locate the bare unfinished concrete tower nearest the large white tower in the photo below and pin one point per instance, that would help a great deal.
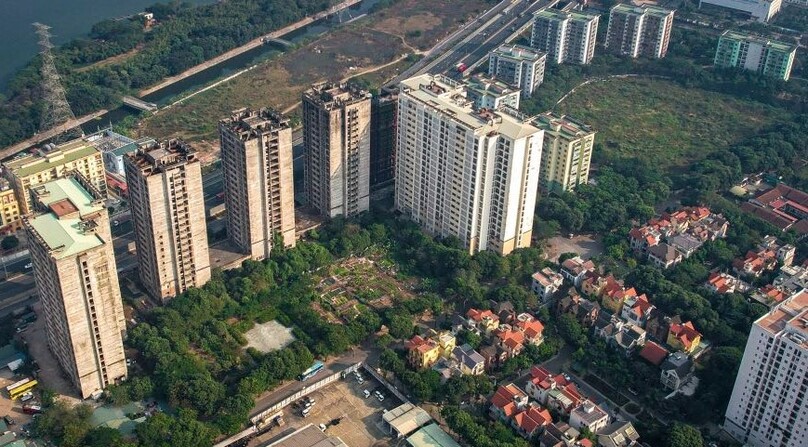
(336, 137)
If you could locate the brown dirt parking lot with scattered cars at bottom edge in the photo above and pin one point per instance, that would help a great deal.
(345, 411)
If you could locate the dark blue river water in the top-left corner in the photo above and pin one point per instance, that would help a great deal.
(69, 19)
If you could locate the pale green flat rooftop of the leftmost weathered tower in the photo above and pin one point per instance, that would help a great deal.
(64, 228)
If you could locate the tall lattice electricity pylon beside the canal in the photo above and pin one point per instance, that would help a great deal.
(57, 110)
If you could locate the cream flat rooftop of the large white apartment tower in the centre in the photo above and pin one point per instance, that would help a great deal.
(449, 98)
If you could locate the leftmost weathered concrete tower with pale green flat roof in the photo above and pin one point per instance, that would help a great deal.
(74, 269)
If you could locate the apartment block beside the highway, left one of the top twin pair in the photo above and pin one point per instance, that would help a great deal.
(565, 36)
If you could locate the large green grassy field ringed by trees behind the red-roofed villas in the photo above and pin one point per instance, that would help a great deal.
(660, 121)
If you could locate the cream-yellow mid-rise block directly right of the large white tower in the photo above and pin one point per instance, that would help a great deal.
(567, 152)
